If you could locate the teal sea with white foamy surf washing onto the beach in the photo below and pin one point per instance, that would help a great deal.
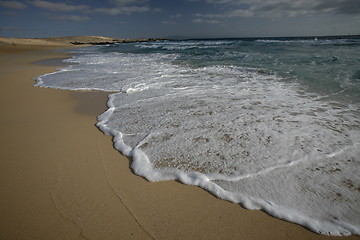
(272, 124)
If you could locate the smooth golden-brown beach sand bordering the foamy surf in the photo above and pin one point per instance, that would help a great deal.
(60, 177)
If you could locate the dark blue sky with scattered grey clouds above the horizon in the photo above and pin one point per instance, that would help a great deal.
(179, 18)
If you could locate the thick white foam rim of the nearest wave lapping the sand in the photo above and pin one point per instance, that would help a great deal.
(143, 167)
